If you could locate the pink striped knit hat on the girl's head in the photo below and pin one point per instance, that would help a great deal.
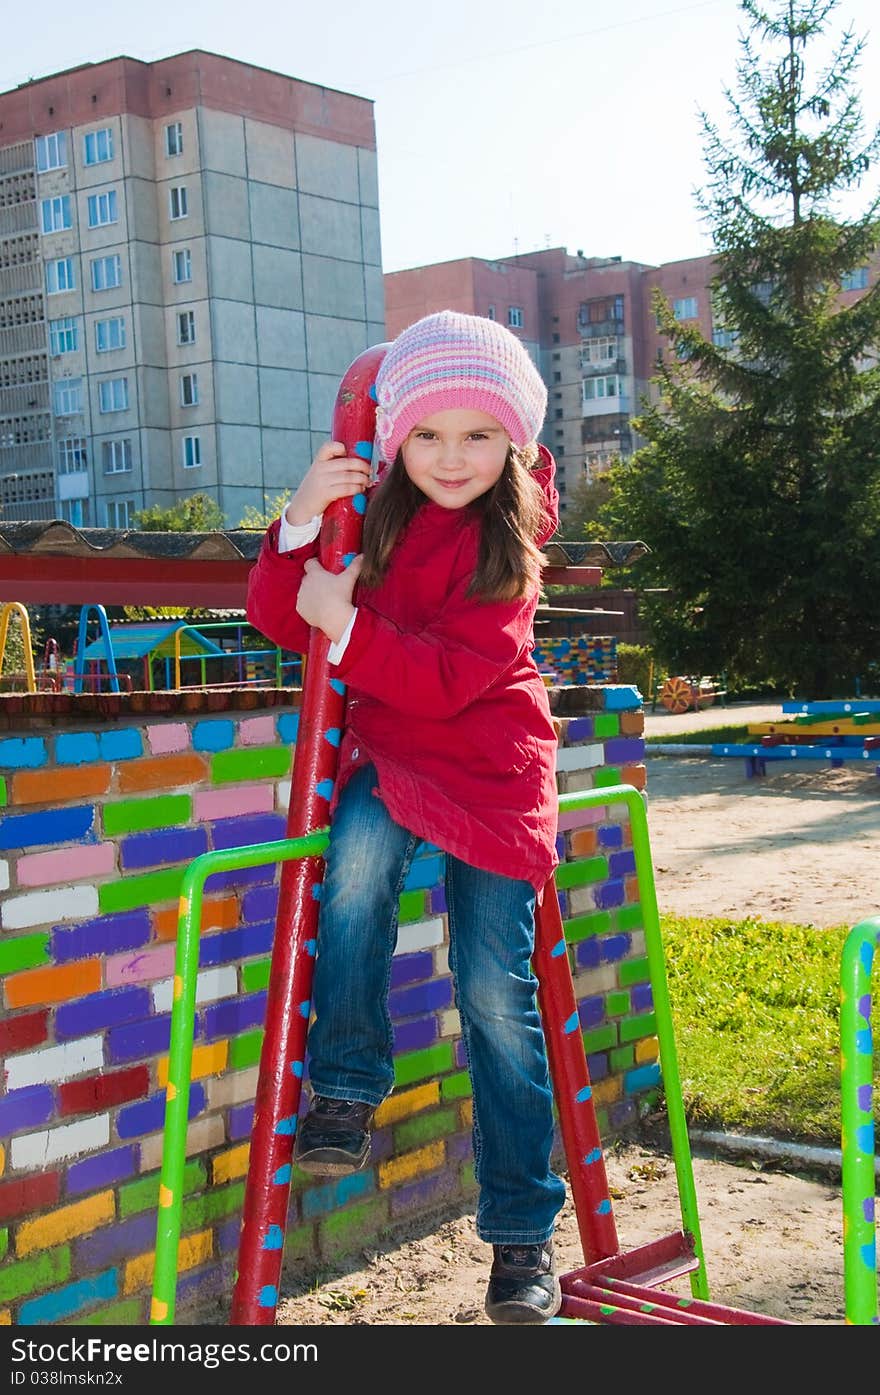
(457, 362)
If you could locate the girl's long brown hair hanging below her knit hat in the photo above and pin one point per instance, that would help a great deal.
(513, 513)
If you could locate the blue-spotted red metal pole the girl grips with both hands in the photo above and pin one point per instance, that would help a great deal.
(284, 1051)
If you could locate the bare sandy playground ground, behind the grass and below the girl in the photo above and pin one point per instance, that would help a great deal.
(800, 845)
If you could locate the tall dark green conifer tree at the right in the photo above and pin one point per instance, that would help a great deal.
(759, 488)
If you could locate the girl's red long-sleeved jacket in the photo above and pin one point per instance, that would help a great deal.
(444, 695)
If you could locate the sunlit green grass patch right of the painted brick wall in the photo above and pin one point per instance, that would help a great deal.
(757, 1012)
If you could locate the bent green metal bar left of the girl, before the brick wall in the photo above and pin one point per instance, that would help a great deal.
(181, 1053)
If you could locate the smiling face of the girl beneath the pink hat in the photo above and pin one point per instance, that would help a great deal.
(455, 457)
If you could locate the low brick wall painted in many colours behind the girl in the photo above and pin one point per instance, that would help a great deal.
(105, 803)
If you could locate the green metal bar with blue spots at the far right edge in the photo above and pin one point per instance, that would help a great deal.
(858, 1125)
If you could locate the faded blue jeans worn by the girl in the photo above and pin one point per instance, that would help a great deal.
(492, 940)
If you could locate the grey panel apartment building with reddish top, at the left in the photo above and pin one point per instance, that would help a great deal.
(190, 259)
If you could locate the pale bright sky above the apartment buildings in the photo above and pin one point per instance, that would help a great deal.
(503, 126)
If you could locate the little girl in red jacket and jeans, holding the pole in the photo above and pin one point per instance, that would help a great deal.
(448, 740)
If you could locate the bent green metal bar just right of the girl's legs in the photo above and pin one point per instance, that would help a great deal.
(666, 1033)
